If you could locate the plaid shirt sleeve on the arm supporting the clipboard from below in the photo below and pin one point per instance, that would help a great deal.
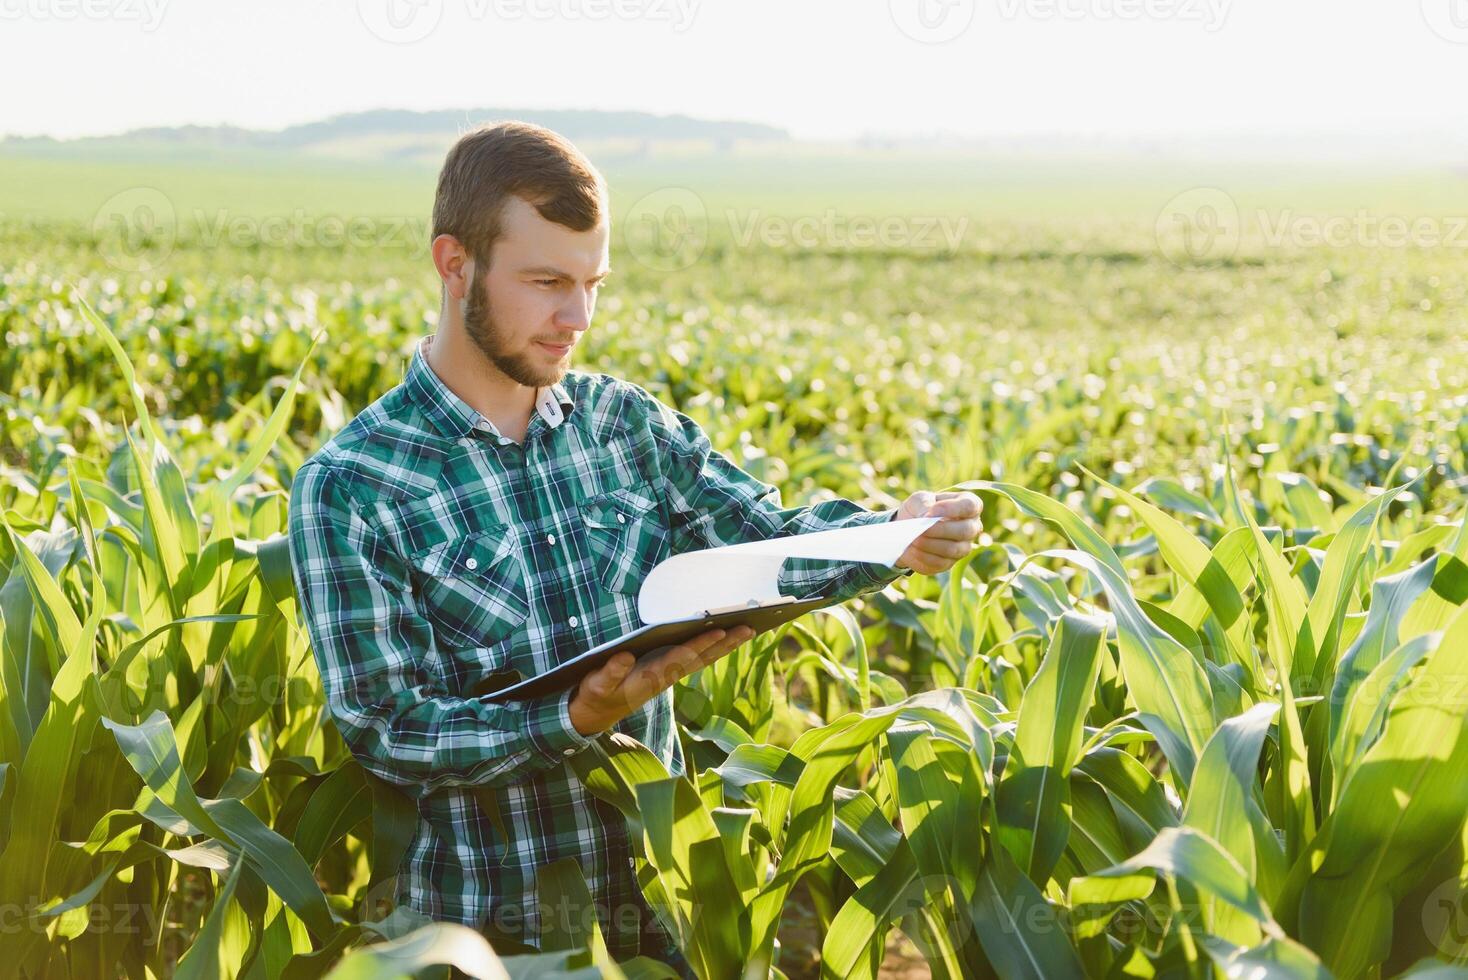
(372, 645)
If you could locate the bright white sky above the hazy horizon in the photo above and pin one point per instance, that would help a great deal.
(823, 70)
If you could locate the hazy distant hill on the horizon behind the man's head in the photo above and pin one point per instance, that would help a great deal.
(412, 137)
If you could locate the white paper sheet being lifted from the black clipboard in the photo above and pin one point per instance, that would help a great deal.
(719, 577)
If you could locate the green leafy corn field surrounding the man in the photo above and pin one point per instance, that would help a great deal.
(1196, 706)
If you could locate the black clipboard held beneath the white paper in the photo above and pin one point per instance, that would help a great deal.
(654, 639)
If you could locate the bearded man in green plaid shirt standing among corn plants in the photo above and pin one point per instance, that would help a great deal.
(494, 516)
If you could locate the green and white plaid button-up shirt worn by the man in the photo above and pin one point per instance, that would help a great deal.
(435, 558)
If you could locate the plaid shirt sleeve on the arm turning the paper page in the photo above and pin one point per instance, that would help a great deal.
(713, 502)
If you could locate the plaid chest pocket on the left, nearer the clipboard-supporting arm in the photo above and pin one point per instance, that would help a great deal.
(472, 588)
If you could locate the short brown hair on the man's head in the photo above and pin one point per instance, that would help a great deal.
(490, 165)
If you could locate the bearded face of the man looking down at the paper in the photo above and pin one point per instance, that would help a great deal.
(532, 306)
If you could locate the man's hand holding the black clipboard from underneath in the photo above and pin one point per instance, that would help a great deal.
(623, 686)
